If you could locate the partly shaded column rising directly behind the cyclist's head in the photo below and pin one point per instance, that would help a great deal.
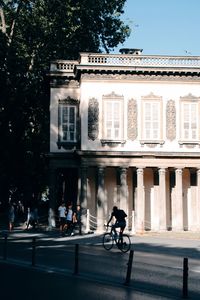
(123, 190)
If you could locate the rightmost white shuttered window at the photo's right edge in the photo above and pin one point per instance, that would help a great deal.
(189, 121)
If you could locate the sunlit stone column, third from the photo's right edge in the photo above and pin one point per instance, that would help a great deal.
(163, 199)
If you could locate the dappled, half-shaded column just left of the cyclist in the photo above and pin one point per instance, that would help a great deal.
(101, 201)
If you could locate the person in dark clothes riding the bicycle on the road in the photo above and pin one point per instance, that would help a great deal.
(120, 216)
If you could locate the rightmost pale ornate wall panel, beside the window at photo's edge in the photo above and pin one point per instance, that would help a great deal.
(171, 120)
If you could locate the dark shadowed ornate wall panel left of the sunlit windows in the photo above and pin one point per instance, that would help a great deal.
(93, 119)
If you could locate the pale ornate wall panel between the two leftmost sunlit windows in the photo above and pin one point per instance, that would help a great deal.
(132, 119)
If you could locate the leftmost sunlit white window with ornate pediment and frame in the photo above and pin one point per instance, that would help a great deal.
(113, 117)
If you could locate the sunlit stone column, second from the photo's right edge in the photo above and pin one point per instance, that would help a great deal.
(177, 203)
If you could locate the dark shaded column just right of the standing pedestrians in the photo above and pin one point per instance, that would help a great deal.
(83, 196)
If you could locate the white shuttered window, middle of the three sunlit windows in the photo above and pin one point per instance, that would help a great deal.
(151, 120)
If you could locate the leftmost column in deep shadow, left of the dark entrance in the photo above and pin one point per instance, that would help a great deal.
(52, 198)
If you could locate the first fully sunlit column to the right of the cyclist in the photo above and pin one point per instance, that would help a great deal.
(140, 202)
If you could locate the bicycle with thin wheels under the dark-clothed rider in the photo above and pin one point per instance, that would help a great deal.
(122, 242)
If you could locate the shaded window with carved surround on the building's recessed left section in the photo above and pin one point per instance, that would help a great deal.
(67, 122)
